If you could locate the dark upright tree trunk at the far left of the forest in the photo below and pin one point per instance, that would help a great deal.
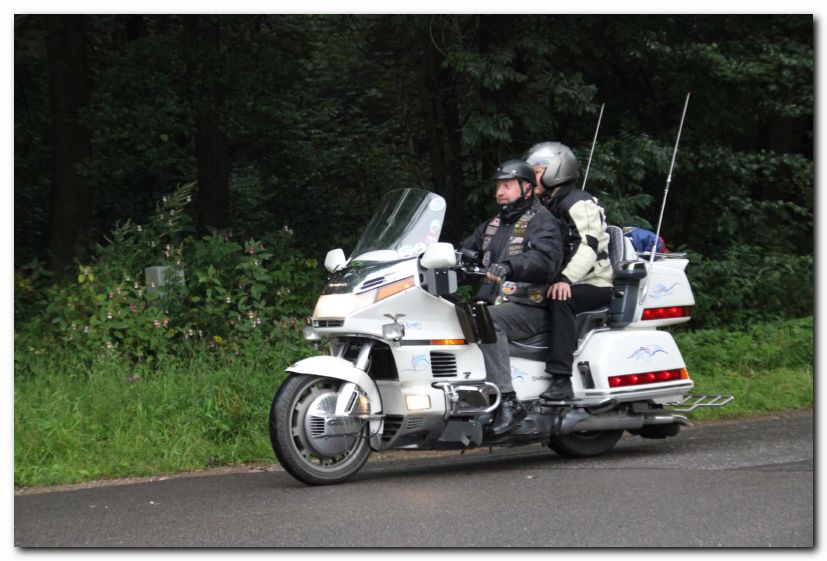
(69, 211)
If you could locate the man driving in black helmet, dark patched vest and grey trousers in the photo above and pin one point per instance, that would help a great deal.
(522, 249)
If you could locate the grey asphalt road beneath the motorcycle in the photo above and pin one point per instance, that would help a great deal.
(732, 484)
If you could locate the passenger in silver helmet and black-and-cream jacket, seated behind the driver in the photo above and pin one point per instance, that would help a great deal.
(585, 281)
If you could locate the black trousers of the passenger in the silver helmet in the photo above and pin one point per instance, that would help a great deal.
(563, 339)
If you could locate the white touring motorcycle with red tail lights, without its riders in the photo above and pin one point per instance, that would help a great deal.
(405, 370)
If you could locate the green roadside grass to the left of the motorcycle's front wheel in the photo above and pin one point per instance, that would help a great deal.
(79, 425)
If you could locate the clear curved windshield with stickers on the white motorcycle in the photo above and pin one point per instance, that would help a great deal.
(406, 222)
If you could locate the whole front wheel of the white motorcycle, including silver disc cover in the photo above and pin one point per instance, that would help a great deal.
(296, 427)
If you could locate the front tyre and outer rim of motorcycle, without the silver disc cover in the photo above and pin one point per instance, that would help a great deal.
(292, 444)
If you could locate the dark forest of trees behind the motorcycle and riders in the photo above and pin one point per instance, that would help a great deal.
(299, 123)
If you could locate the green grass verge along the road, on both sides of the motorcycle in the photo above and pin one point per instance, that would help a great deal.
(73, 422)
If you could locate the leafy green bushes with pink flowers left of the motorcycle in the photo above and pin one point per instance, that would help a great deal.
(221, 294)
